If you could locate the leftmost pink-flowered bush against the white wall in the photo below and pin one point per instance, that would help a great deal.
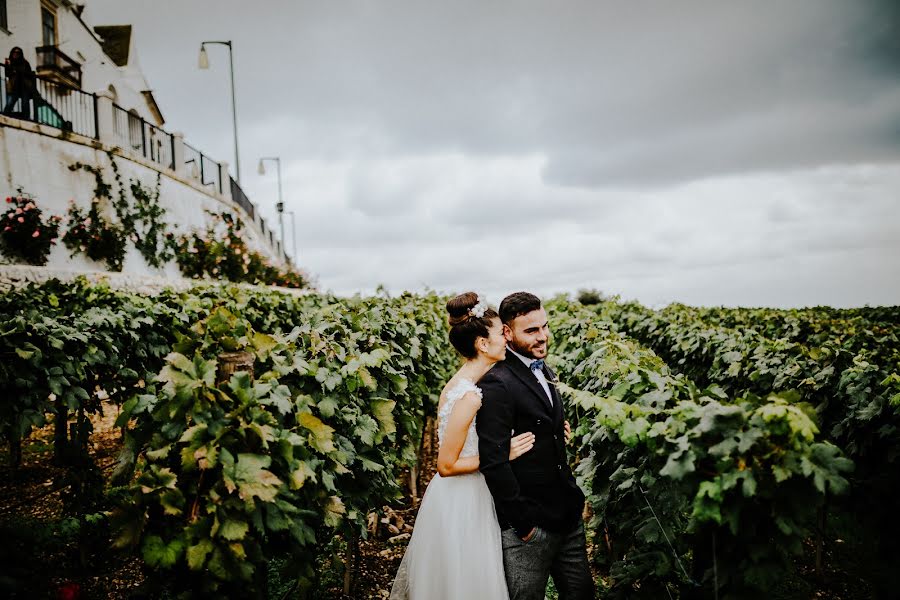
(26, 235)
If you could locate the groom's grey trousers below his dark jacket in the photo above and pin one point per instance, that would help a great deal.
(558, 555)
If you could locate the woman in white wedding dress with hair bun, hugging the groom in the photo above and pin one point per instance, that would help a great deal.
(455, 552)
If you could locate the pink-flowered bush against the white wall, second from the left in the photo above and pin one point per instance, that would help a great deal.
(94, 236)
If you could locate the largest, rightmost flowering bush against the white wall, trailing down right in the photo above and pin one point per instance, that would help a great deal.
(220, 252)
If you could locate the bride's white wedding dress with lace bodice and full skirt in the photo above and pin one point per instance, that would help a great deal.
(455, 550)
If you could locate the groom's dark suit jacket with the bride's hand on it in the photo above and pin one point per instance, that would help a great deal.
(537, 488)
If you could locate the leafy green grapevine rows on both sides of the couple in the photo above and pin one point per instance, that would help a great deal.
(261, 439)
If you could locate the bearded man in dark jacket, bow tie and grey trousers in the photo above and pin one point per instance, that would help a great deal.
(538, 503)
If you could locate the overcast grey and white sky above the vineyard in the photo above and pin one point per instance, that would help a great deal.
(739, 153)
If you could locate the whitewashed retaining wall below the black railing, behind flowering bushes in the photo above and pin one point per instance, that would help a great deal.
(36, 158)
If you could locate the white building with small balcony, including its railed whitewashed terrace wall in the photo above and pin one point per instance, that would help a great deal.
(94, 104)
